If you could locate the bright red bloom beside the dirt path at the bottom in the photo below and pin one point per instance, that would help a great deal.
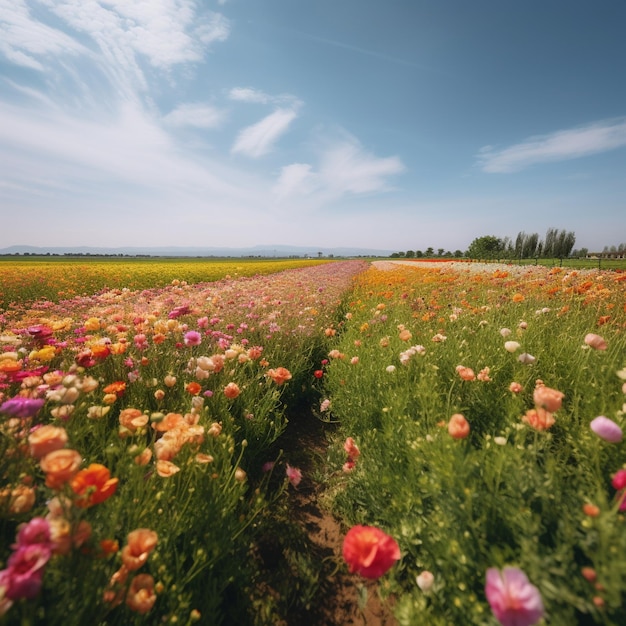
(369, 551)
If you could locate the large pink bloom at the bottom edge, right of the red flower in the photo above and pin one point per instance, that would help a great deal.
(513, 599)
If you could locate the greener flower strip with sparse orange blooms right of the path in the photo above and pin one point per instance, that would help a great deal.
(482, 412)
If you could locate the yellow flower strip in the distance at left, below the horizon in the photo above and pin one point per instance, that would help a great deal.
(58, 278)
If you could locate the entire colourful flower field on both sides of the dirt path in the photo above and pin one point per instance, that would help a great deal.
(476, 451)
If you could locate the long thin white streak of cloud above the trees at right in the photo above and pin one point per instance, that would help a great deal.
(558, 146)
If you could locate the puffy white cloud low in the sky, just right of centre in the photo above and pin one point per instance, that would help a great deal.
(344, 168)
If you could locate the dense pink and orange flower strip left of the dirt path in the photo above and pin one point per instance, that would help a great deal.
(137, 431)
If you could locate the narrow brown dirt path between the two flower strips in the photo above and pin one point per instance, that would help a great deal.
(337, 599)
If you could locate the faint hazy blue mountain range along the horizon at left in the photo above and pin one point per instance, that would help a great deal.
(179, 251)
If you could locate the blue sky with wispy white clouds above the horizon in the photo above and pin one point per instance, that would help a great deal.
(390, 125)
